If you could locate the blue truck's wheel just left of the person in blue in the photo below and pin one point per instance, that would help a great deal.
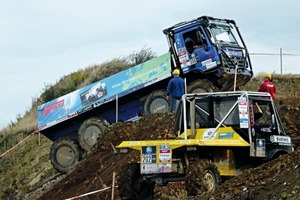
(156, 102)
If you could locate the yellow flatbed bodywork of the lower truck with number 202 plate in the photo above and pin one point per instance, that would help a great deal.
(223, 157)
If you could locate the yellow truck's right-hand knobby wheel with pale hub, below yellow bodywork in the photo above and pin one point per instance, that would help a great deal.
(201, 176)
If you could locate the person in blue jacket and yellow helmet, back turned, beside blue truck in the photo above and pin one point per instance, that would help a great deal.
(175, 89)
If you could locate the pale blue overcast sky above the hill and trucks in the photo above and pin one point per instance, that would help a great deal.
(43, 40)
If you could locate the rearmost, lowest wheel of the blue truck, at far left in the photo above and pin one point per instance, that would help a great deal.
(65, 155)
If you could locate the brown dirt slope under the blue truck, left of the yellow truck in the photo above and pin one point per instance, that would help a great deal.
(96, 171)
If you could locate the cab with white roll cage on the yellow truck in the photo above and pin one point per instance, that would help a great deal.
(252, 116)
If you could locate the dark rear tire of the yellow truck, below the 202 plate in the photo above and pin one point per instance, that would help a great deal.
(131, 186)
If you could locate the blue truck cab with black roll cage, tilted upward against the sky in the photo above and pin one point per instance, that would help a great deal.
(210, 47)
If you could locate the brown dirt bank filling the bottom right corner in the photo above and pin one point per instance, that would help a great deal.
(277, 179)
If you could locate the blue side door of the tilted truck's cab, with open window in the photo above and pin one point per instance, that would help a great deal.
(195, 51)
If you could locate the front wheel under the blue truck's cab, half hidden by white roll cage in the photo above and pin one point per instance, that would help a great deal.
(201, 86)
